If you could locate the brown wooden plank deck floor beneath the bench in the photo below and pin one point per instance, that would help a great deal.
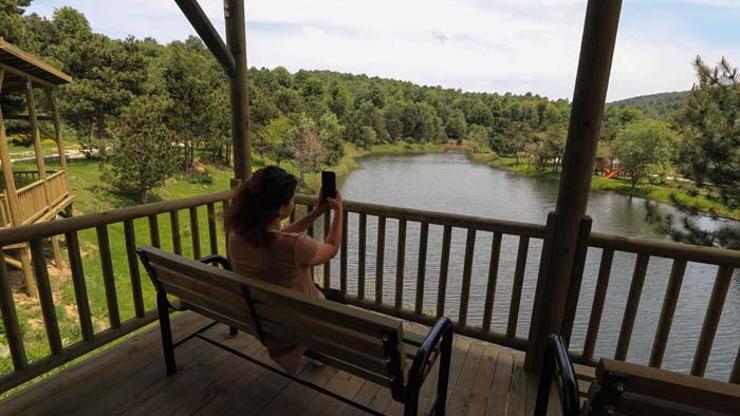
(485, 379)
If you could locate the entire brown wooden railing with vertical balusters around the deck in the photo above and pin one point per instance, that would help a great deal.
(24, 369)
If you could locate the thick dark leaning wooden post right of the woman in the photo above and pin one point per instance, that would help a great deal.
(592, 80)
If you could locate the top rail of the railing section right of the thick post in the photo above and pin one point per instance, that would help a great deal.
(668, 249)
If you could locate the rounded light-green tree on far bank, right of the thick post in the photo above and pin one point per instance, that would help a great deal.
(645, 147)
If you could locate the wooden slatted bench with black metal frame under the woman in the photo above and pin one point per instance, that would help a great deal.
(360, 342)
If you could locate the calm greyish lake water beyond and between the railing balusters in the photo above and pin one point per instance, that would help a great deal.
(451, 183)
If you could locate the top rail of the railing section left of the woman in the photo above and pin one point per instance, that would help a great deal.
(43, 230)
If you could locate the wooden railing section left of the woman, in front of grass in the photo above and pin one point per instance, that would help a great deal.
(121, 221)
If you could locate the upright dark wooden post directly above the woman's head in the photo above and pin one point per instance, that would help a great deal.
(240, 135)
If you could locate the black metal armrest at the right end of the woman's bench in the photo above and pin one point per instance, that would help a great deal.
(439, 337)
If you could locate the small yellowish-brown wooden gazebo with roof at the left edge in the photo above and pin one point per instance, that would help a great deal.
(31, 196)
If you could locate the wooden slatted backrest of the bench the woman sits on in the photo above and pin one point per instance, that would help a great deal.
(355, 340)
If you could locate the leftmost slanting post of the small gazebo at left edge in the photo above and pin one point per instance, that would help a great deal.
(12, 196)
